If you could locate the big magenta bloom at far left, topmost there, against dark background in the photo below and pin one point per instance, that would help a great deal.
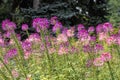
(8, 25)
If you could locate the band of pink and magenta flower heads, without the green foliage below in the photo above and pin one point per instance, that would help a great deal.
(52, 37)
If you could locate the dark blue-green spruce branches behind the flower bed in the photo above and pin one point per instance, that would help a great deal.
(70, 12)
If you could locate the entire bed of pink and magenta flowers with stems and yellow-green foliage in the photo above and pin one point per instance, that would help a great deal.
(56, 52)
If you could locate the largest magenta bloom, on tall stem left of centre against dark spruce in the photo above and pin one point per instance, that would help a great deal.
(40, 24)
